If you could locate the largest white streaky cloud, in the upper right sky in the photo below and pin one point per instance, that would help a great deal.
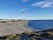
(43, 4)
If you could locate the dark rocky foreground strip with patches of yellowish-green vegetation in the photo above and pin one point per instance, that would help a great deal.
(34, 35)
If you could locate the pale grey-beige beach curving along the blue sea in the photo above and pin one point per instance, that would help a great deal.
(13, 27)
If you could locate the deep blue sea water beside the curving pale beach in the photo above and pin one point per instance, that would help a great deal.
(40, 24)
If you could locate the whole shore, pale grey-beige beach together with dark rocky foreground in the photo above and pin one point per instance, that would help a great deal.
(18, 30)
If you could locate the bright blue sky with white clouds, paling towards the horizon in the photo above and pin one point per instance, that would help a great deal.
(26, 9)
